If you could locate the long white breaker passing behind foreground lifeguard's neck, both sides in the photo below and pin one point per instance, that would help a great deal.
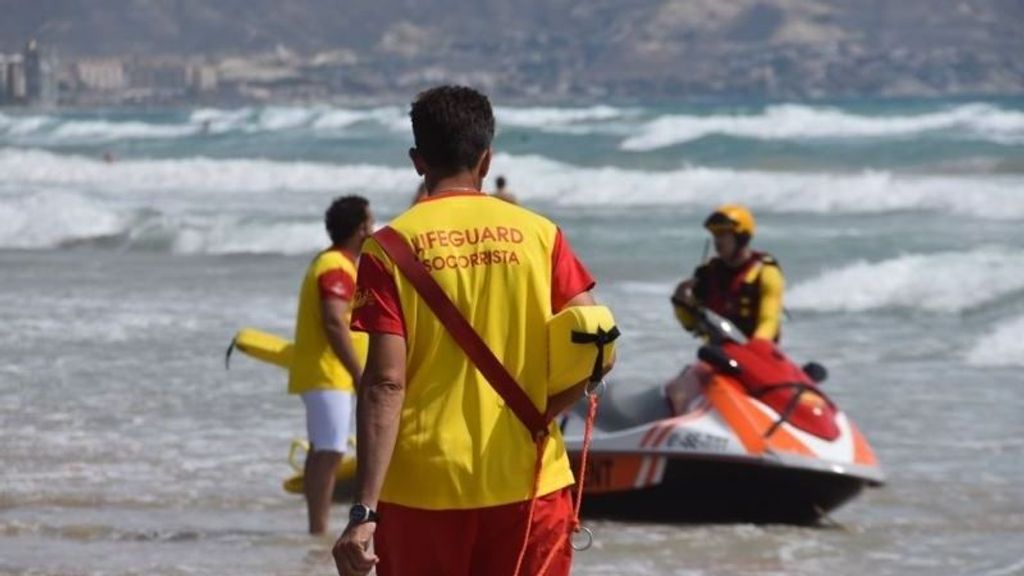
(49, 199)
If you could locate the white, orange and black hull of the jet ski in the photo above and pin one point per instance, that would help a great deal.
(732, 460)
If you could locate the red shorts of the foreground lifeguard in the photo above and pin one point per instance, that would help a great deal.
(472, 543)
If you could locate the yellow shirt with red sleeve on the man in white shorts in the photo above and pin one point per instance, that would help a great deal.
(315, 366)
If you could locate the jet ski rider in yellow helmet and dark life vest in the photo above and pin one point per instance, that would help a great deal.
(741, 284)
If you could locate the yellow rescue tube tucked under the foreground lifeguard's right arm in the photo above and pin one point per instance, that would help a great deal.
(573, 345)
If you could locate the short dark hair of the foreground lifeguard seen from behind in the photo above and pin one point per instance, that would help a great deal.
(453, 128)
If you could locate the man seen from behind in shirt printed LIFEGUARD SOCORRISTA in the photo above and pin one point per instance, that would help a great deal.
(446, 470)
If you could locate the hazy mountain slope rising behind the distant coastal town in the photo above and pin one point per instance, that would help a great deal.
(781, 50)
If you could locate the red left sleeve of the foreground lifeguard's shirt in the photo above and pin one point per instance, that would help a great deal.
(377, 306)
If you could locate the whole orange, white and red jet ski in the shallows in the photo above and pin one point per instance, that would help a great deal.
(761, 443)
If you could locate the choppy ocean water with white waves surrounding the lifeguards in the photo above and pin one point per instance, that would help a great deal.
(129, 449)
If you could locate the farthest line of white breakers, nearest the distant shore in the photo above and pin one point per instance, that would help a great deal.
(641, 130)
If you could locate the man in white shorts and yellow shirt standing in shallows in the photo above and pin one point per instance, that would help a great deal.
(325, 367)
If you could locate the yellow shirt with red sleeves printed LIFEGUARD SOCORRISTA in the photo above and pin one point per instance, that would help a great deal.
(507, 271)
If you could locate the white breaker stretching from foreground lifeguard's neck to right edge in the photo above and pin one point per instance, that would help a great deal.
(861, 193)
